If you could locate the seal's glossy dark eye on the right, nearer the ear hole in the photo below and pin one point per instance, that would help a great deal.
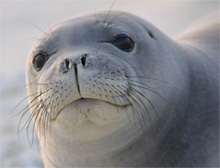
(123, 42)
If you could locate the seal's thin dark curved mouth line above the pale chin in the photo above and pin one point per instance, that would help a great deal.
(91, 100)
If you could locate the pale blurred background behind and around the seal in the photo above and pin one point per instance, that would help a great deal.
(22, 22)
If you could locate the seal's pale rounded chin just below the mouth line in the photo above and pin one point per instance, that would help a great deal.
(91, 117)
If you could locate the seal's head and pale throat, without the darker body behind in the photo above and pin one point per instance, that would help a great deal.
(103, 86)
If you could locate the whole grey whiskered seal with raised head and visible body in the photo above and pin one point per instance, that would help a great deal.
(110, 89)
